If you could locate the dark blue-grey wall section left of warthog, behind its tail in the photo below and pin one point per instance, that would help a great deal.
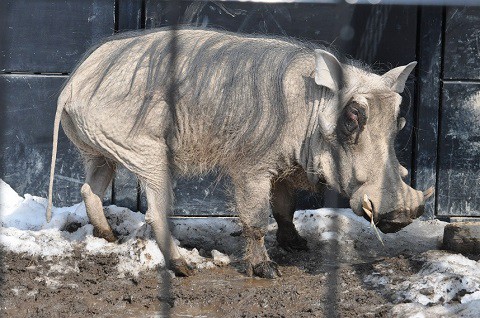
(40, 43)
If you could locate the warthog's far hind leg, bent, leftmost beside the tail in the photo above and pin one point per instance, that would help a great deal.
(99, 174)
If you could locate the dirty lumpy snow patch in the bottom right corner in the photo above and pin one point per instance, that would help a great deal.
(446, 284)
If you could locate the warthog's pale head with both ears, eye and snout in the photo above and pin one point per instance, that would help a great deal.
(359, 130)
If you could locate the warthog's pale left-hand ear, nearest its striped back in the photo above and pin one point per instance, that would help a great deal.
(328, 70)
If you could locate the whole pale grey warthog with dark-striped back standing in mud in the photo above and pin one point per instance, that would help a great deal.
(339, 124)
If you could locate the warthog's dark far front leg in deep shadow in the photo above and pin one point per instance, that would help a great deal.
(283, 208)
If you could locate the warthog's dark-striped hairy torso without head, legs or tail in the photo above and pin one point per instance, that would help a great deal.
(216, 95)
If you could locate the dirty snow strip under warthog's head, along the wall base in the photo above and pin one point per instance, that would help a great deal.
(358, 239)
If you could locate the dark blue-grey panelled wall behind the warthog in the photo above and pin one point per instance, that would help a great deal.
(41, 41)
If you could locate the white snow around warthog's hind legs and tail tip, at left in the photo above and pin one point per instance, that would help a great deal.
(24, 230)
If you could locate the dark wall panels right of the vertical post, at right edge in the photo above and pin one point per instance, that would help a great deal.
(459, 131)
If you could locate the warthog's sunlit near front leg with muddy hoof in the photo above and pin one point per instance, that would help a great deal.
(252, 198)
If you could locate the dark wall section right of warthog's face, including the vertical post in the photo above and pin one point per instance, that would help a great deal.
(447, 150)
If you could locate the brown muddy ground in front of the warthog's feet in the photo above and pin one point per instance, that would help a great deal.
(313, 284)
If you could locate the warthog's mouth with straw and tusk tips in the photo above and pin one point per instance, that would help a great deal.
(393, 221)
